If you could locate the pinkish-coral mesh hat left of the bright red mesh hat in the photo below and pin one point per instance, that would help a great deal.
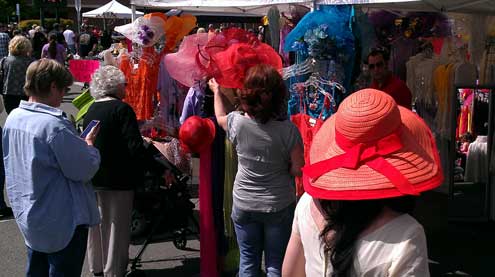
(182, 66)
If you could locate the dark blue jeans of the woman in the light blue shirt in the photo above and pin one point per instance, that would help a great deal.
(64, 263)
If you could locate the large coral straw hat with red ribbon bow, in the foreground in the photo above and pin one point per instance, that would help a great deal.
(370, 149)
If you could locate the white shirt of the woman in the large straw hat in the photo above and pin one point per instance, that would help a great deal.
(397, 248)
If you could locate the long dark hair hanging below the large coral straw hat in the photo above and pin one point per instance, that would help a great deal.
(348, 219)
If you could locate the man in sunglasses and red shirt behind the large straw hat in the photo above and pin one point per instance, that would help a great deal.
(384, 80)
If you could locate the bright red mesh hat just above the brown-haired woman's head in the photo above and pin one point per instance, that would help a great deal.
(229, 67)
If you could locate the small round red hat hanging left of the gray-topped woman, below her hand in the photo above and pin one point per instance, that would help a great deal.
(196, 133)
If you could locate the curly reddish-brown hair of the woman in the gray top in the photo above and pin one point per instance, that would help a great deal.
(264, 95)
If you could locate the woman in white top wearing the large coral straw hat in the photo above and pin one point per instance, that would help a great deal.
(368, 161)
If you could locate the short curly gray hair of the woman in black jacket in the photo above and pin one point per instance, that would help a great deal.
(105, 81)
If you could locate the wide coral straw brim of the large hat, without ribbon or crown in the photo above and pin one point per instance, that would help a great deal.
(417, 160)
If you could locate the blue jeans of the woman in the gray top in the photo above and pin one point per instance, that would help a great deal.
(257, 232)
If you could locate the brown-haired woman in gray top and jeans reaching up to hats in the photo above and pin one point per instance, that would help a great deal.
(270, 154)
